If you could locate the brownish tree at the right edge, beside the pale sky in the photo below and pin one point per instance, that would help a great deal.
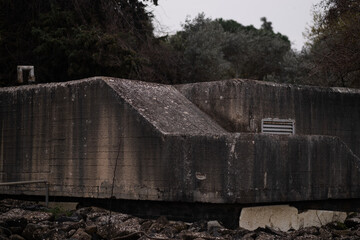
(334, 44)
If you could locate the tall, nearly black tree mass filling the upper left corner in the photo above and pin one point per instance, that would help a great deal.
(72, 39)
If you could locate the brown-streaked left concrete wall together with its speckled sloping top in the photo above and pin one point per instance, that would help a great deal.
(77, 135)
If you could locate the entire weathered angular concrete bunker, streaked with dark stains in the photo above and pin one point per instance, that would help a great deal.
(198, 142)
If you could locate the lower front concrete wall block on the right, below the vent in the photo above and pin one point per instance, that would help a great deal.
(248, 168)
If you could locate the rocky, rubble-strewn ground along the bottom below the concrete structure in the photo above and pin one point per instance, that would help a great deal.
(27, 220)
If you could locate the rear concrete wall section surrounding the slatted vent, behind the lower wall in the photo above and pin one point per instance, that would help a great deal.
(239, 106)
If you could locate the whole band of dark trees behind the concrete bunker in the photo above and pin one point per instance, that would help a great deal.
(73, 39)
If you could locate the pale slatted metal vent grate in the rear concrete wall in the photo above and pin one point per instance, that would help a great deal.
(278, 126)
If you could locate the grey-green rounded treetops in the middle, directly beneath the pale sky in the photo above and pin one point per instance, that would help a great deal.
(219, 49)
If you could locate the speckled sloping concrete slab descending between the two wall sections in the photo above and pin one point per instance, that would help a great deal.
(165, 108)
